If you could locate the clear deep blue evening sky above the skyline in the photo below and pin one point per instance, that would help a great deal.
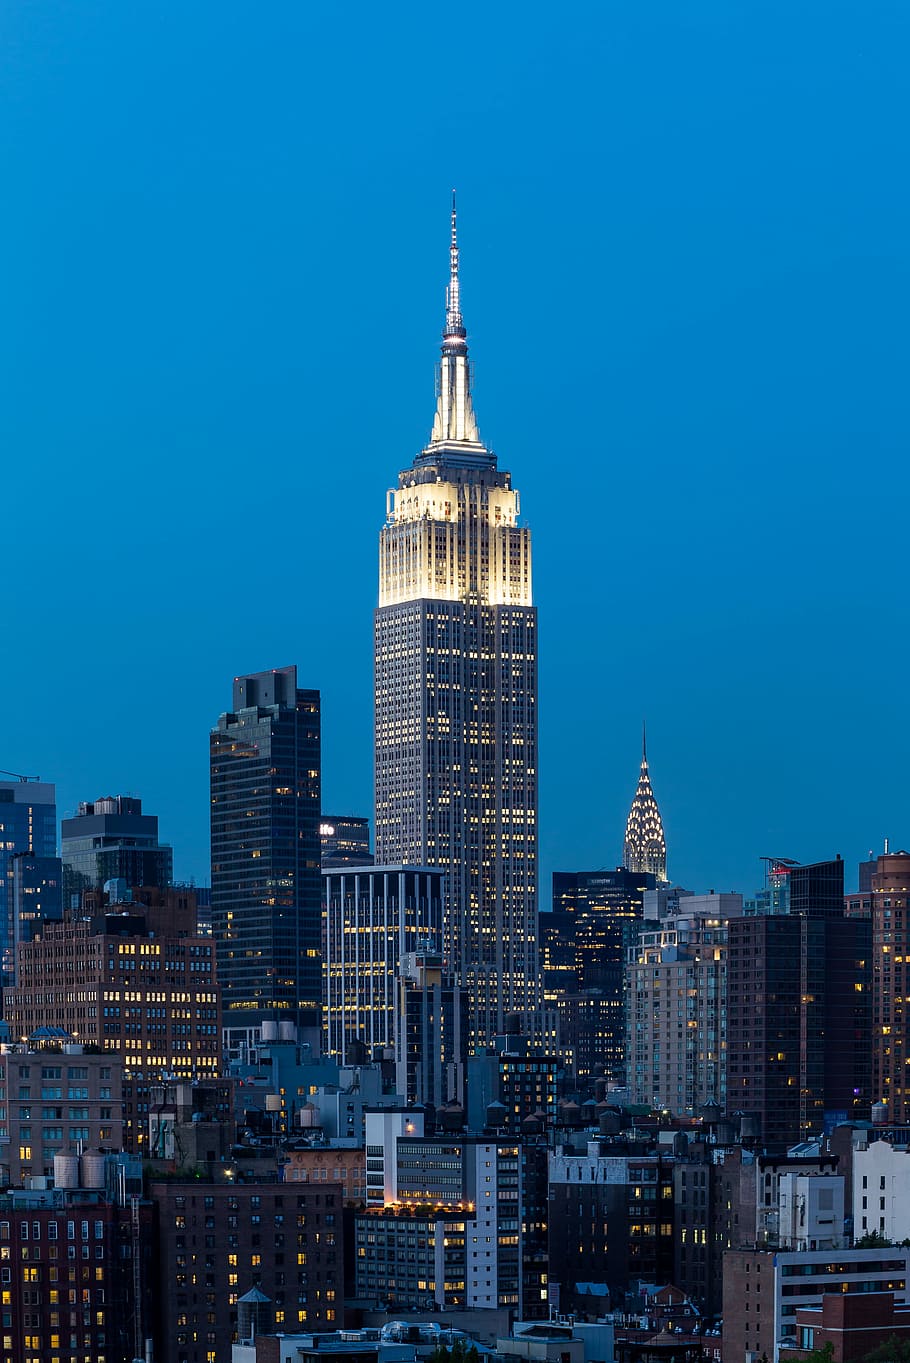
(686, 276)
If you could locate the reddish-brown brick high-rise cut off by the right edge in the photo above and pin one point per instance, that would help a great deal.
(892, 982)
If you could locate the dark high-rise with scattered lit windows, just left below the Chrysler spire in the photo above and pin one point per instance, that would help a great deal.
(584, 949)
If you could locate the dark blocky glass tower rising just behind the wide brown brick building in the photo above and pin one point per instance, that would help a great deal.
(112, 840)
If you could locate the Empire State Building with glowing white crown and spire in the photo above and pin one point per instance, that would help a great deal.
(456, 694)
